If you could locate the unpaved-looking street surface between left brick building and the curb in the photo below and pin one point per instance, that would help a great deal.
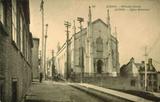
(49, 91)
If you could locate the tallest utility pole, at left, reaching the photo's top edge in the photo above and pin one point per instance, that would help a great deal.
(42, 51)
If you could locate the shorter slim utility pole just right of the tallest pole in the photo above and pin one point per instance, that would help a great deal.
(45, 43)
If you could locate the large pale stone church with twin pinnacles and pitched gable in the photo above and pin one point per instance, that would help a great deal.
(93, 50)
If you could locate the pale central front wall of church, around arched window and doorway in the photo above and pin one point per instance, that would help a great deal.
(100, 30)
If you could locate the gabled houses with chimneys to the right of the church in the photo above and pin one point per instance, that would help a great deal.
(137, 70)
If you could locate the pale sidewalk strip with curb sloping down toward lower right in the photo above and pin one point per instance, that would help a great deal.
(115, 94)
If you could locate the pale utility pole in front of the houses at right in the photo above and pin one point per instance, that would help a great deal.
(146, 57)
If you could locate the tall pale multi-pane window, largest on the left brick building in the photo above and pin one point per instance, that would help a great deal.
(14, 21)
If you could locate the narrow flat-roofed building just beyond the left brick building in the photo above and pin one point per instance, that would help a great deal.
(35, 58)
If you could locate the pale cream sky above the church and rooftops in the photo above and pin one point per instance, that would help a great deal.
(137, 23)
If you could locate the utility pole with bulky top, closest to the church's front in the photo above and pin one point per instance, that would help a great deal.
(81, 47)
